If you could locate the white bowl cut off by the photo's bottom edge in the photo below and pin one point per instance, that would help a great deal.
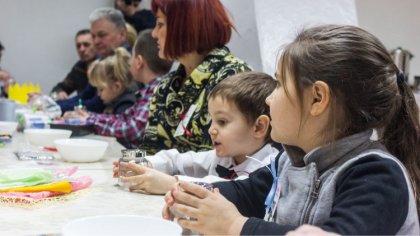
(108, 225)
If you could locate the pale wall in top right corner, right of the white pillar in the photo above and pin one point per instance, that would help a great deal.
(395, 23)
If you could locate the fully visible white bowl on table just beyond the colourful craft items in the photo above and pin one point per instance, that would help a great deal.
(81, 150)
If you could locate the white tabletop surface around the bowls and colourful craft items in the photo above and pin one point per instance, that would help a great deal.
(101, 198)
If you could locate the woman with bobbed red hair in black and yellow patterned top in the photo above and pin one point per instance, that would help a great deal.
(193, 32)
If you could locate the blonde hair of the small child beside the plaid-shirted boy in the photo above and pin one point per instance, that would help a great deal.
(112, 69)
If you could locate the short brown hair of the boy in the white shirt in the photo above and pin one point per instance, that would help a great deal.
(248, 91)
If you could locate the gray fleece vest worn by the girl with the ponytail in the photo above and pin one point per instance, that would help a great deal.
(308, 192)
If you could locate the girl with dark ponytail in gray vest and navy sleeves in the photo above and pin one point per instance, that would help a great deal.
(336, 85)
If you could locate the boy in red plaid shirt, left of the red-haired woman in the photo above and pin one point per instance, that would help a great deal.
(147, 68)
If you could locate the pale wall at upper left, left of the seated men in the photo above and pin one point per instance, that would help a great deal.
(39, 37)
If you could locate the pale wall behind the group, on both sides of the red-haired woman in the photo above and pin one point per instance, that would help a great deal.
(39, 36)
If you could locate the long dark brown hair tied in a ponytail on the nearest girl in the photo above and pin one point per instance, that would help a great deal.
(365, 91)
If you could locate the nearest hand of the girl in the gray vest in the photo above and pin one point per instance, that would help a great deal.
(203, 208)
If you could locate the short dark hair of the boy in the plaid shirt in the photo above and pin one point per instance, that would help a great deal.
(146, 46)
